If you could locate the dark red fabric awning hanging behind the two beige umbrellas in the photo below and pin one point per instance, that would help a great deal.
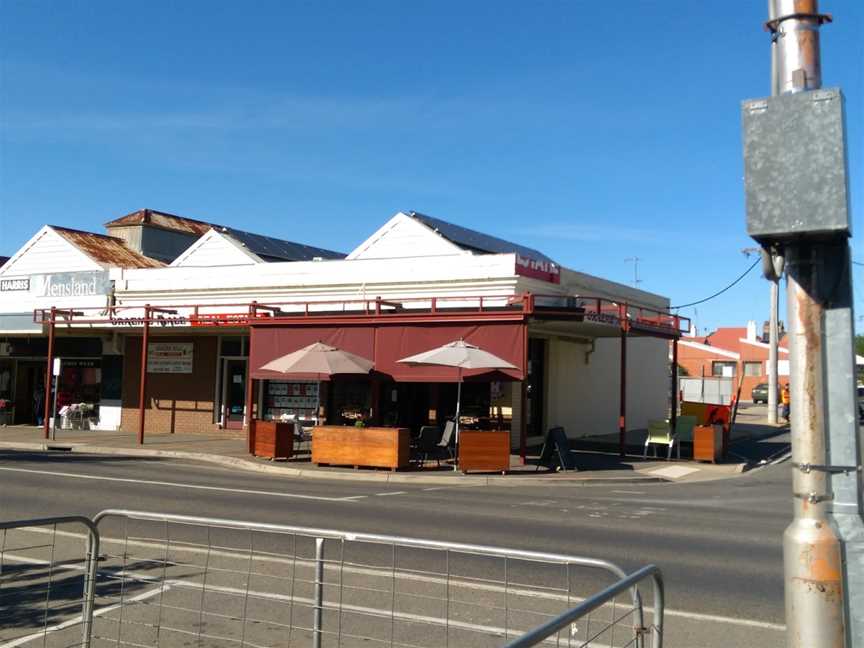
(386, 344)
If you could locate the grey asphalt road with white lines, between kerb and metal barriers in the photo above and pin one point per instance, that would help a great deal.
(718, 543)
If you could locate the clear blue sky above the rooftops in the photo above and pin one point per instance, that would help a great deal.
(594, 131)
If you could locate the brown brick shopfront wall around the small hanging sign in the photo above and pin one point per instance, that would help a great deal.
(180, 403)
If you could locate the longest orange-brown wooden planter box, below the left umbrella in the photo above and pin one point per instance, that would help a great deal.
(351, 446)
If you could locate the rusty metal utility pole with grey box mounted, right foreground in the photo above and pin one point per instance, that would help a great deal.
(798, 210)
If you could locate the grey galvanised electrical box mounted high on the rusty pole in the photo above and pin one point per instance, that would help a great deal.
(795, 169)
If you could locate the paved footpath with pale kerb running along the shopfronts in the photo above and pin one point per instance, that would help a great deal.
(753, 444)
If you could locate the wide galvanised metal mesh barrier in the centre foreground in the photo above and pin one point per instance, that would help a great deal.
(174, 580)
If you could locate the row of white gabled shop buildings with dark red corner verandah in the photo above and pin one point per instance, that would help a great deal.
(591, 355)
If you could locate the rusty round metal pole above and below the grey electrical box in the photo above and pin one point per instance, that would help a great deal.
(812, 553)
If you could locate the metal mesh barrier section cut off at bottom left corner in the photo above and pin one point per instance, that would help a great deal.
(47, 579)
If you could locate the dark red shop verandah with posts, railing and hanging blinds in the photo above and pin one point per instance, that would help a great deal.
(518, 328)
